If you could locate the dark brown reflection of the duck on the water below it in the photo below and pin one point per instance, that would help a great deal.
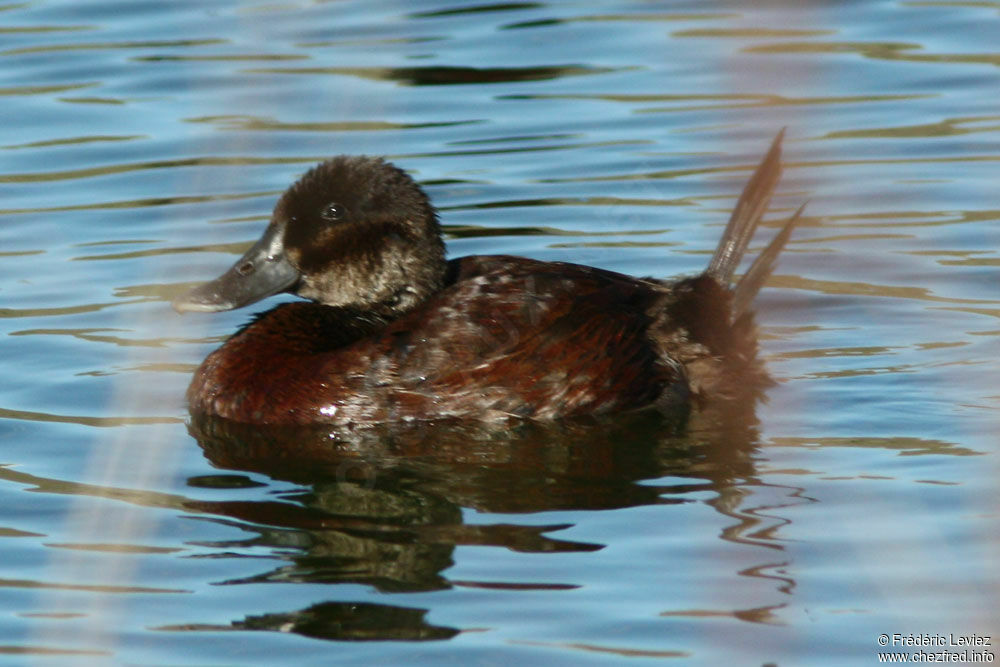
(383, 506)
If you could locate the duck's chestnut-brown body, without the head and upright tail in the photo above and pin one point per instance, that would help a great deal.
(507, 336)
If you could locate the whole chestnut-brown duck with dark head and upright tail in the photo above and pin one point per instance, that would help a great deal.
(389, 331)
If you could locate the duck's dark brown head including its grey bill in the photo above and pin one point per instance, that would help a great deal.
(353, 231)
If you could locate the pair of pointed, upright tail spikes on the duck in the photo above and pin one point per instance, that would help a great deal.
(749, 210)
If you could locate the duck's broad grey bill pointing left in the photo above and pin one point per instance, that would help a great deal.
(261, 272)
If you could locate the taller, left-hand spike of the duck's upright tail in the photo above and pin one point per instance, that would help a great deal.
(746, 215)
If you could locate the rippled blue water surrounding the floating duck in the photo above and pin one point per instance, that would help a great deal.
(143, 145)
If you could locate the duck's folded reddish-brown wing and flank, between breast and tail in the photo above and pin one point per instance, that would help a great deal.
(534, 339)
